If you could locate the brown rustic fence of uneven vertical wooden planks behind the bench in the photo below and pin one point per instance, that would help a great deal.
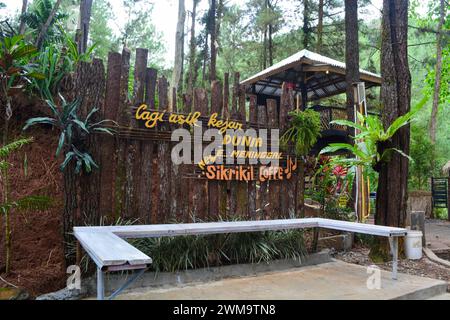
(137, 179)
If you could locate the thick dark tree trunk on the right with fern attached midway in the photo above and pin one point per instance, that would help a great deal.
(396, 100)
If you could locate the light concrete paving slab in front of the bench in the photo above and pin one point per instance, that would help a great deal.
(330, 281)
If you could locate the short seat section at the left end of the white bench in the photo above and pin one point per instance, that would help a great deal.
(107, 249)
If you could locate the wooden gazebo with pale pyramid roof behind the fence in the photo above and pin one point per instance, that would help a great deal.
(313, 77)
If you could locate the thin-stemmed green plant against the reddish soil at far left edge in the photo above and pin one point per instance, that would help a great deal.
(29, 203)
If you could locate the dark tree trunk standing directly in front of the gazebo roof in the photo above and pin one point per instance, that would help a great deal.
(351, 55)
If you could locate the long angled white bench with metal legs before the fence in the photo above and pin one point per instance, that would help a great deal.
(110, 252)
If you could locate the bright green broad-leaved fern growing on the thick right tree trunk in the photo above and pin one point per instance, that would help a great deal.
(373, 142)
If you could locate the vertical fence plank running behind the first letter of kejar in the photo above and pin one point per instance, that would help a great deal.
(213, 186)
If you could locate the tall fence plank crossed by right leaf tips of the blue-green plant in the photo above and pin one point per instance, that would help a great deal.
(110, 111)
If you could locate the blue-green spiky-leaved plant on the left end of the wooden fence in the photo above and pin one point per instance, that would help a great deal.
(73, 132)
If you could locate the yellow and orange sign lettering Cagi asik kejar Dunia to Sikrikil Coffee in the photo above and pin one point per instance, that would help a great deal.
(225, 151)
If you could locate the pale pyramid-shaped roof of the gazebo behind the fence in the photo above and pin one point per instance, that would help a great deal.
(324, 77)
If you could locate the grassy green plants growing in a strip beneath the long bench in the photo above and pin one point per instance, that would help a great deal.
(193, 252)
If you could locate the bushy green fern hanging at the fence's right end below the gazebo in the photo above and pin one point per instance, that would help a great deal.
(304, 132)
